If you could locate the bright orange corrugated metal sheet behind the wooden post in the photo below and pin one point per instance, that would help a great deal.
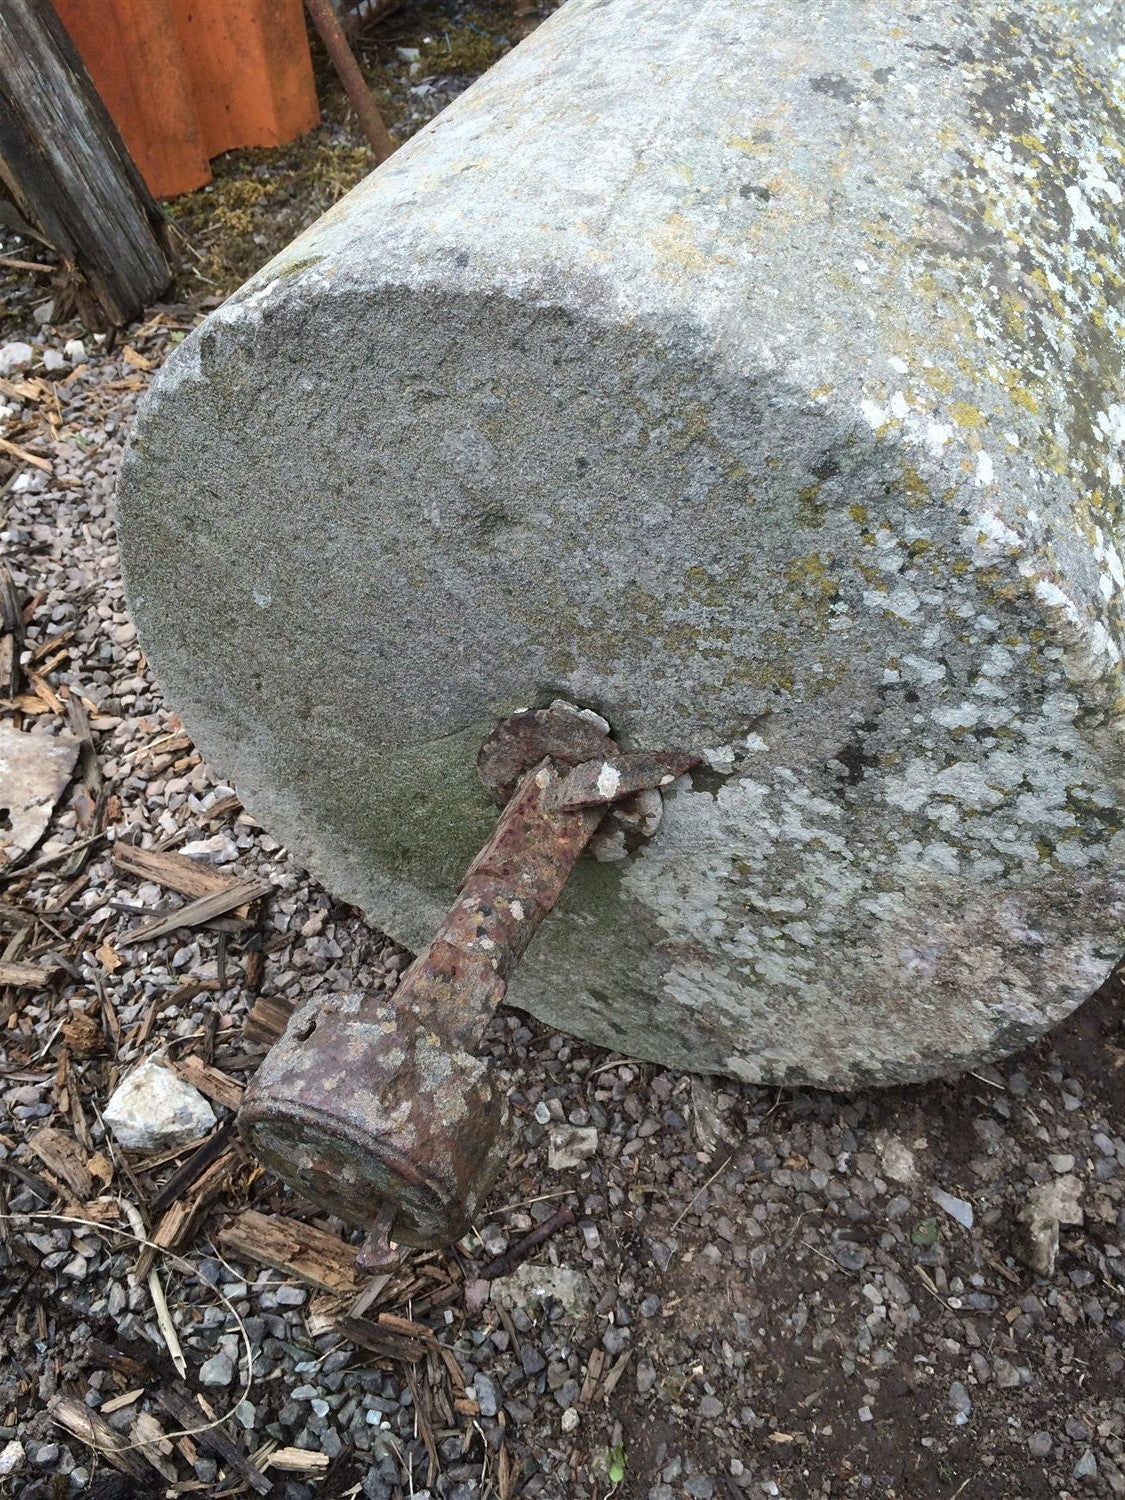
(187, 80)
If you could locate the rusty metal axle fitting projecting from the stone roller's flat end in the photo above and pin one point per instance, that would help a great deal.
(379, 1109)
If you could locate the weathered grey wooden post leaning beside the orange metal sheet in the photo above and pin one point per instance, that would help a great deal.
(67, 167)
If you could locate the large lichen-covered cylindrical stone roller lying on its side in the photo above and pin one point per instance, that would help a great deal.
(751, 374)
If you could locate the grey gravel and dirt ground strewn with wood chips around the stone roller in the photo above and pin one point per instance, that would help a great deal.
(764, 1294)
